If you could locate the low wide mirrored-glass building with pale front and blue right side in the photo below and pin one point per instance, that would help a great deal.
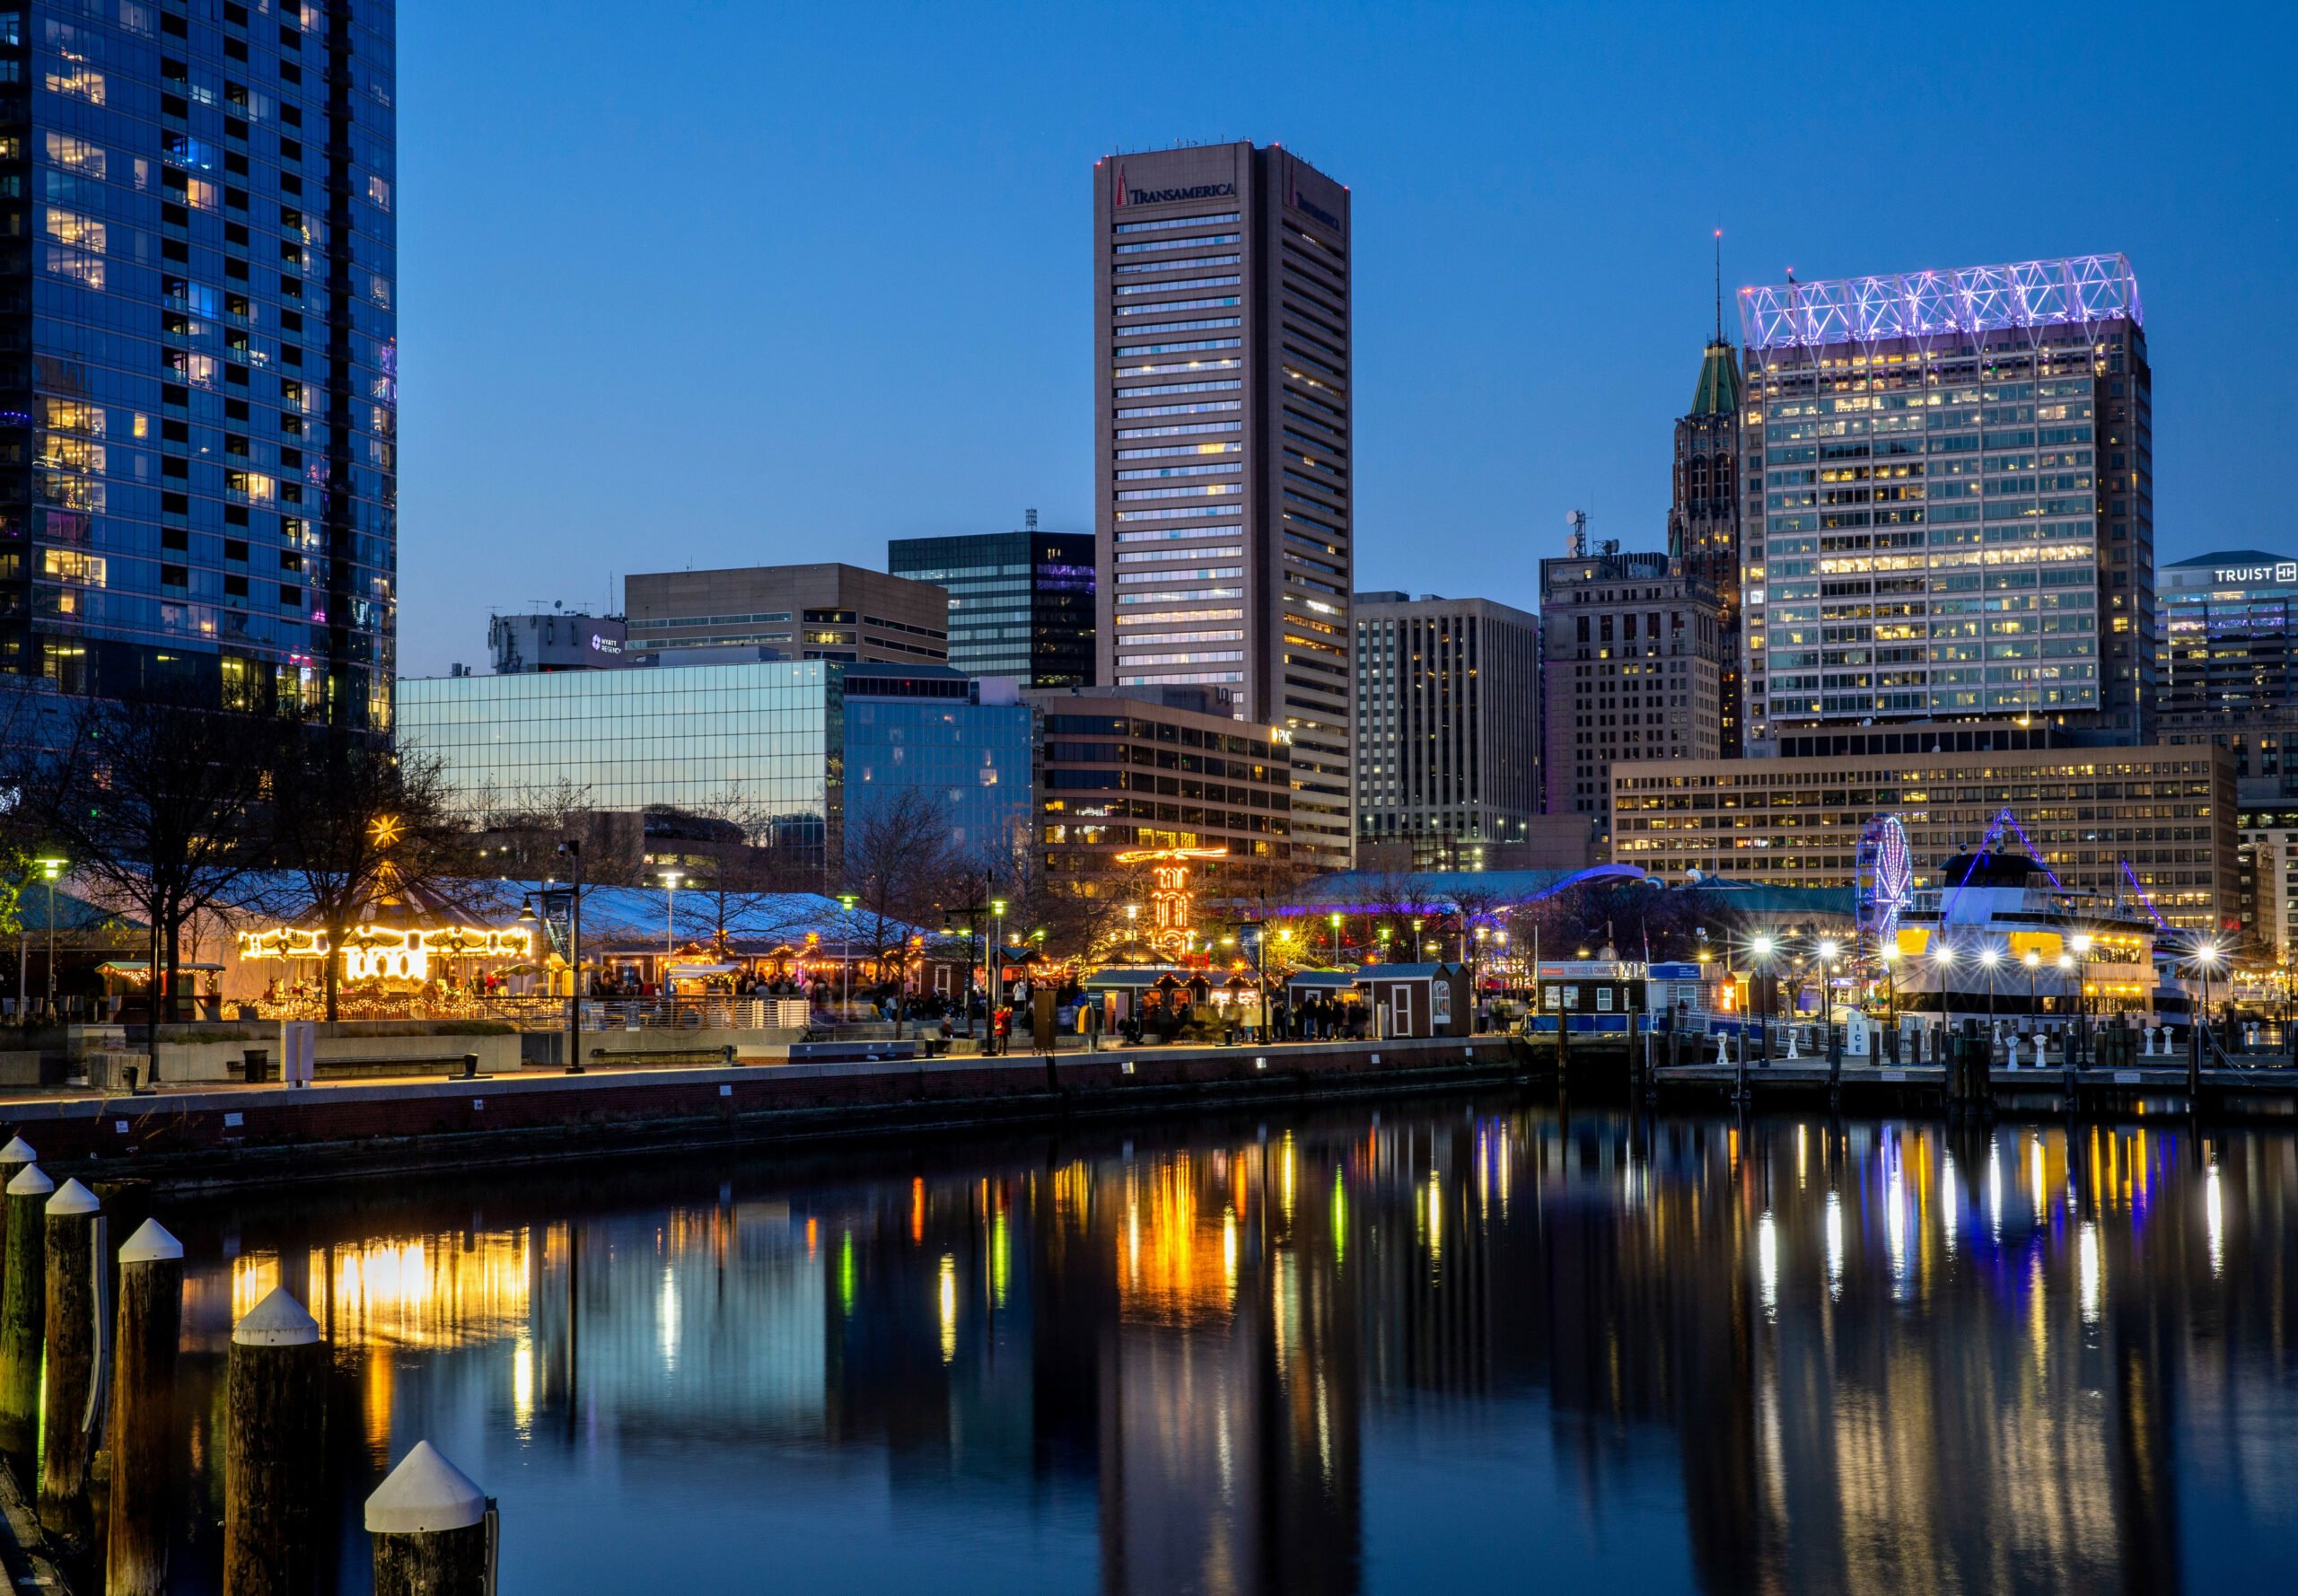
(796, 747)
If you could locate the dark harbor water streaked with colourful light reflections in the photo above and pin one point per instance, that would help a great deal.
(1327, 1354)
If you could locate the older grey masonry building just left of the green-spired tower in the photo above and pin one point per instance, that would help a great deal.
(1633, 669)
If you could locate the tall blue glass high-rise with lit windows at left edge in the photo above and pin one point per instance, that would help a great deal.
(199, 401)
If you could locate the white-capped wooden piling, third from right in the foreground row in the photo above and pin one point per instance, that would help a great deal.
(144, 1413)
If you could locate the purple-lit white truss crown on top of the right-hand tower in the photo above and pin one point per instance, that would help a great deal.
(2076, 290)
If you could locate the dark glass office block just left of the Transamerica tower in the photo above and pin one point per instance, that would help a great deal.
(1019, 603)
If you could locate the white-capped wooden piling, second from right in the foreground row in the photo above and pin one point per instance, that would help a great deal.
(272, 1452)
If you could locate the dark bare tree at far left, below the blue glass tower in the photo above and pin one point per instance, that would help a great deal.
(162, 805)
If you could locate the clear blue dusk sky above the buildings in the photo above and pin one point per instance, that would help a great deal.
(723, 284)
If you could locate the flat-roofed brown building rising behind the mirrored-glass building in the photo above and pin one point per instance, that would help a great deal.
(785, 612)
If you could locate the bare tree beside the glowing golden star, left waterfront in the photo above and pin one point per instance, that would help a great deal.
(357, 826)
